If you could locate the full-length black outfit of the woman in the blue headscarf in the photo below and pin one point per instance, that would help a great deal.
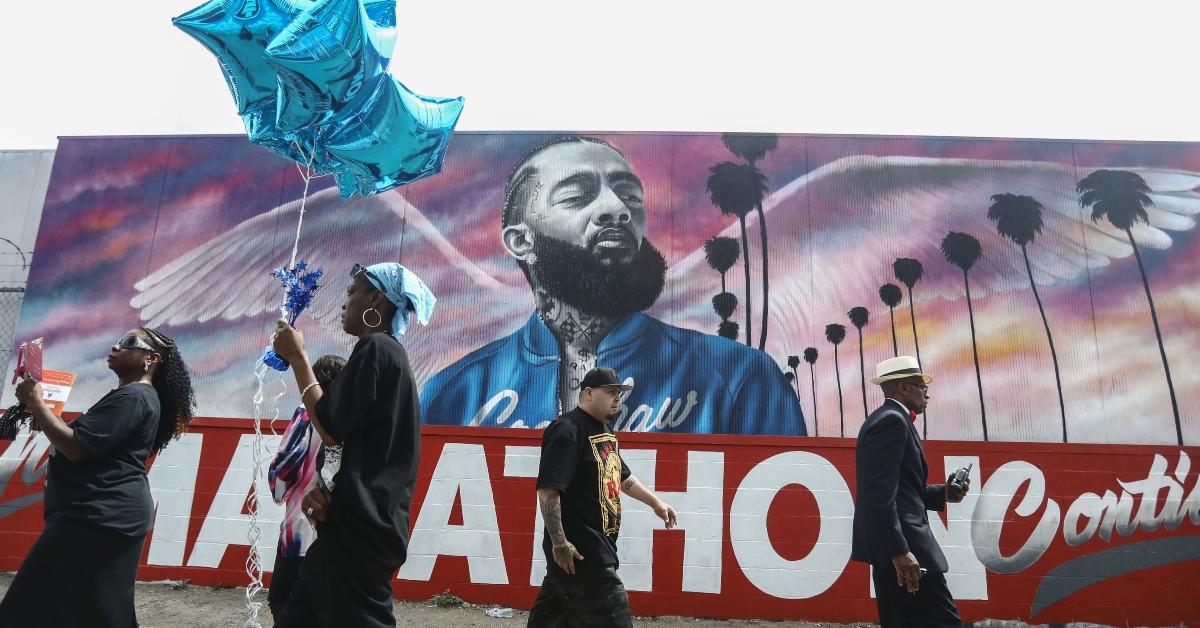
(373, 410)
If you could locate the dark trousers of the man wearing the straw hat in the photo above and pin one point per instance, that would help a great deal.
(931, 607)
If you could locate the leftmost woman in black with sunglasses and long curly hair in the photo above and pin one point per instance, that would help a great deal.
(99, 511)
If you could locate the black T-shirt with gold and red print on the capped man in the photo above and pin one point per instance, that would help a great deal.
(580, 459)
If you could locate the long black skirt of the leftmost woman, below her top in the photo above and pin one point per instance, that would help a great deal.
(75, 576)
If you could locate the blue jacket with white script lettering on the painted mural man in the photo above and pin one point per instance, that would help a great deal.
(683, 382)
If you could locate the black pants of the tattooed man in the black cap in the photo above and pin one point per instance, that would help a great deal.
(592, 599)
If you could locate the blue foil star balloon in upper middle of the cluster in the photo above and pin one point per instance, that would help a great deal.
(326, 63)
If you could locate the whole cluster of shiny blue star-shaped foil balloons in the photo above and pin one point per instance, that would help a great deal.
(310, 80)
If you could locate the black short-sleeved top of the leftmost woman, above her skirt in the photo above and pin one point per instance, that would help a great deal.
(109, 488)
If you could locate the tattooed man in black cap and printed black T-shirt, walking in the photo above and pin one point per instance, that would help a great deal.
(580, 482)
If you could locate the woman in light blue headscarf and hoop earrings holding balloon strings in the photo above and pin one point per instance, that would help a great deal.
(373, 412)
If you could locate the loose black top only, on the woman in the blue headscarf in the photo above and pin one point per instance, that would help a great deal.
(371, 409)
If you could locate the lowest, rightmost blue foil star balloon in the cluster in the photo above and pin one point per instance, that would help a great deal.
(397, 139)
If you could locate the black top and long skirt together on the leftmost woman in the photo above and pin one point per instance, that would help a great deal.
(82, 569)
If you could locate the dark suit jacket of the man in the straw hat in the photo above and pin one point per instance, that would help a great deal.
(893, 503)
